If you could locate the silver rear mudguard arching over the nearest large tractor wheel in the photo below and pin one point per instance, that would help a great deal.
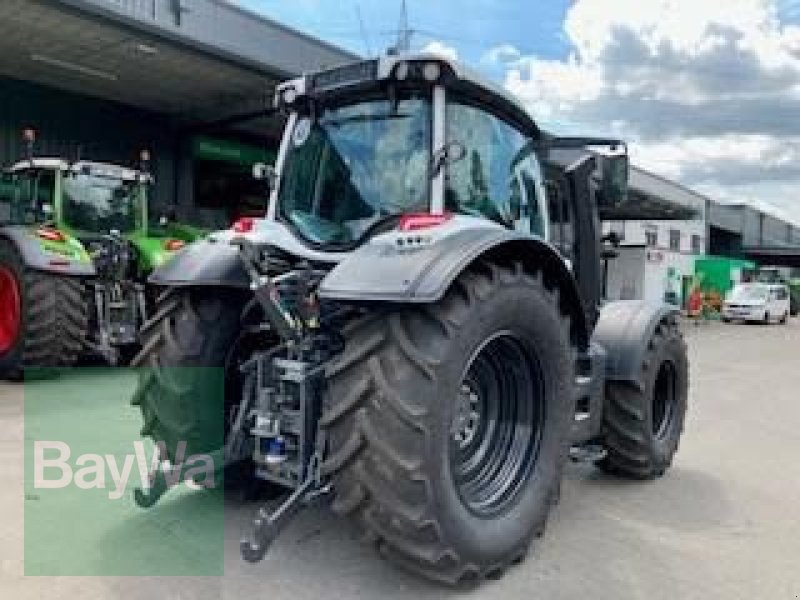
(419, 267)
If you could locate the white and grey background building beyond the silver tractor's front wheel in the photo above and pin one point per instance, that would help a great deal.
(657, 258)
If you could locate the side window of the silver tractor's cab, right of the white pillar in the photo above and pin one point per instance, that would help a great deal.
(499, 177)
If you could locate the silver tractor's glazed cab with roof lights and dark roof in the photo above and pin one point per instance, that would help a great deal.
(370, 143)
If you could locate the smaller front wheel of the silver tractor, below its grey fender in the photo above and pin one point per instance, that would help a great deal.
(643, 421)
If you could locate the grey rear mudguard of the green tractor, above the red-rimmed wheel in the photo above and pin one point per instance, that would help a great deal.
(64, 258)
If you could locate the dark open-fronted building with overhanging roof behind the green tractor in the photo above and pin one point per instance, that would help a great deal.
(189, 80)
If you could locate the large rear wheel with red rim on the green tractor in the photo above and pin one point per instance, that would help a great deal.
(48, 330)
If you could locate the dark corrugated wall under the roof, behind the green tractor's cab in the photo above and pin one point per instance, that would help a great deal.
(69, 125)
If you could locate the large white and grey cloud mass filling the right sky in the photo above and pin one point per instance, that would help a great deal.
(708, 91)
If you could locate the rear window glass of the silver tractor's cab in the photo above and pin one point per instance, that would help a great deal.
(356, 165)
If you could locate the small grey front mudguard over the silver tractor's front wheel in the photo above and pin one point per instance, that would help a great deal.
(624, 330)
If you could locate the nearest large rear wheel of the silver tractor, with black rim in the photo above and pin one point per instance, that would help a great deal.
(448, 425)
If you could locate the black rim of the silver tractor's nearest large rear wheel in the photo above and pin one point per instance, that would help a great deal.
(497, 424)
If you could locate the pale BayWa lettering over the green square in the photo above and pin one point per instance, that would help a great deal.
(54, 470)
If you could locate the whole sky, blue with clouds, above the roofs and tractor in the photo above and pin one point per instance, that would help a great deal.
(707, 92)
